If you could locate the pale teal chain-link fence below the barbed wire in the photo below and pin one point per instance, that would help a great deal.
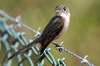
(16, 38)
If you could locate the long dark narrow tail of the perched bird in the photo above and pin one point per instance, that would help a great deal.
(25, 48)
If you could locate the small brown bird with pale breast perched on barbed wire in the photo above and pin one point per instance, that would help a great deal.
(53, 30)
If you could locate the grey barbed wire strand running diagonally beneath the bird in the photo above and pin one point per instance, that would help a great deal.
(18, 22)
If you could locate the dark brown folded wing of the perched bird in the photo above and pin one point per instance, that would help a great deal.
(51, 31)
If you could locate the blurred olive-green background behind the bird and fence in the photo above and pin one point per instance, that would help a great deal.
(82, 36)
